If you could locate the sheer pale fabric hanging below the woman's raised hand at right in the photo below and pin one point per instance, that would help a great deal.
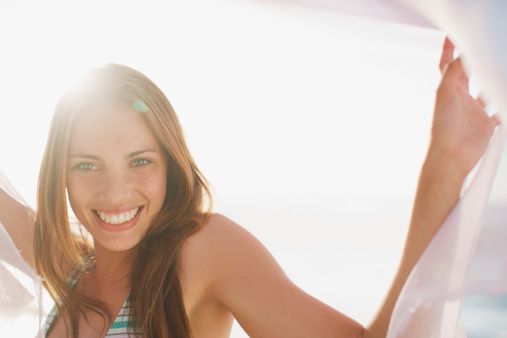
(455, 265)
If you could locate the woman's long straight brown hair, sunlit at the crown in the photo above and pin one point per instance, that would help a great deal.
(155, 294)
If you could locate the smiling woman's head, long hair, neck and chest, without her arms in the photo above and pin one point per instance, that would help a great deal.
(117, 148)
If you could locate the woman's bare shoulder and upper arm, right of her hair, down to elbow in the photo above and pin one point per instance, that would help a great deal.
(249, 282)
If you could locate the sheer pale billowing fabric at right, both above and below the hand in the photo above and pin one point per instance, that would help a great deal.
(466, 260)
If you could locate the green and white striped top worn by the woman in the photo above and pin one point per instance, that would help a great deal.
(119, 328)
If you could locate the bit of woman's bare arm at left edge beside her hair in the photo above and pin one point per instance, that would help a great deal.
(19, 221)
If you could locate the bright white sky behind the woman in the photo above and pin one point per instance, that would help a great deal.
(310, 126)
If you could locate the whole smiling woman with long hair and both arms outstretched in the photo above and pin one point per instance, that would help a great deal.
(161, 264)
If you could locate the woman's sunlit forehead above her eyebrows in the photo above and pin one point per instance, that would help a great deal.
(100, 127)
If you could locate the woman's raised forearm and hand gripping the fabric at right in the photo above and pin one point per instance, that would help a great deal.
(460, 135)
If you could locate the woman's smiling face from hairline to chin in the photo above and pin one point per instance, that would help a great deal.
(117, 174)
